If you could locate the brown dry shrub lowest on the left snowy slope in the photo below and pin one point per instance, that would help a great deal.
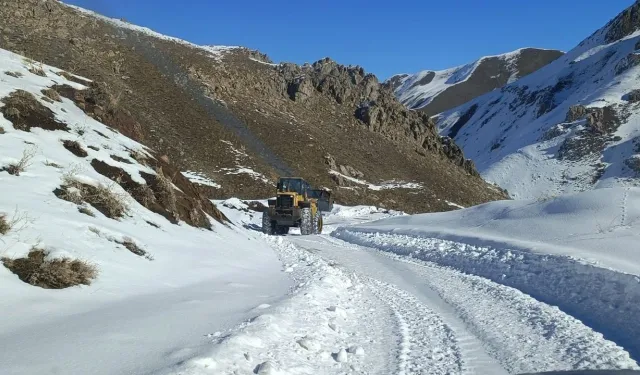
(62, 273)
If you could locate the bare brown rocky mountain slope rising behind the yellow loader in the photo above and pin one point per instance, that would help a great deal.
(240, 120)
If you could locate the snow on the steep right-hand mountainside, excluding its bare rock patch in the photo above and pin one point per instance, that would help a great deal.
(506, 136)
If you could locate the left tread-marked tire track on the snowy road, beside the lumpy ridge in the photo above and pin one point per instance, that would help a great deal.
(427, 344)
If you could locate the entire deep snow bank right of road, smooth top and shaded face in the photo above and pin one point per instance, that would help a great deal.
(577, 252)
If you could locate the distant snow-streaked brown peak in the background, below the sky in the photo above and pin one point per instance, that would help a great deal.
(438, 91)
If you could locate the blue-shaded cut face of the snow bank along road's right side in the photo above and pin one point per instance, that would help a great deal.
(602, 299)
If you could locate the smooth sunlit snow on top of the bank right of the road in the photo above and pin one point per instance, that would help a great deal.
(600, 226)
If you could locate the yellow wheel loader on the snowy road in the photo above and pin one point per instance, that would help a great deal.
(297, 204)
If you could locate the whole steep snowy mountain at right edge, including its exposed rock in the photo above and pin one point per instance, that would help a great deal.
(571, 126)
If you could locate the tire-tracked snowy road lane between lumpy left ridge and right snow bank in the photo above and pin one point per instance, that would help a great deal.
(456, 323)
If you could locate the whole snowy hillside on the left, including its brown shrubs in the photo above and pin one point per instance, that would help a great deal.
(110, 260)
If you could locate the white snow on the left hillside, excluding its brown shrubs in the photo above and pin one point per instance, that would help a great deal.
(139, 315)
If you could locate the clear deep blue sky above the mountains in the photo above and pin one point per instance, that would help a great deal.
(383, 36)
